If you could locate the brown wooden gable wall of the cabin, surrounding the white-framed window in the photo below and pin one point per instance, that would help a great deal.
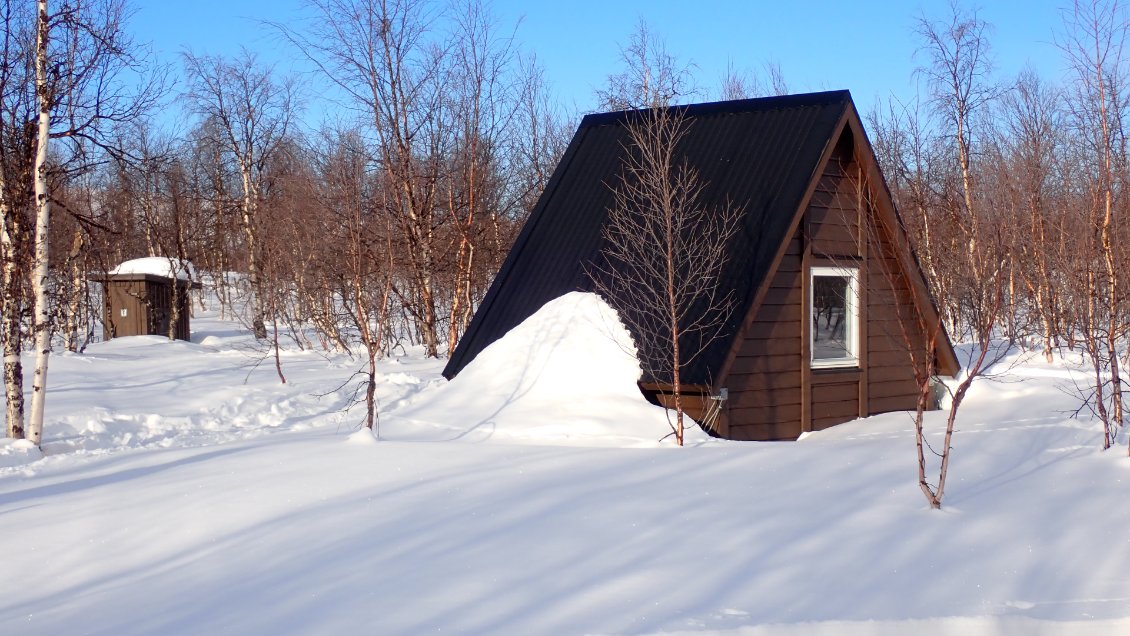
(773, 393)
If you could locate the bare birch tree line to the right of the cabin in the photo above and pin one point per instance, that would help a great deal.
(1015, 194)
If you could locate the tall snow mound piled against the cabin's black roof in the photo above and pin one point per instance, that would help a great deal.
(567, 376)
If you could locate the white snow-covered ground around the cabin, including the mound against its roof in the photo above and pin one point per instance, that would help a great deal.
(184, 490)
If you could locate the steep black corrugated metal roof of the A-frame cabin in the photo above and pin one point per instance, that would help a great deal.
(758, 154)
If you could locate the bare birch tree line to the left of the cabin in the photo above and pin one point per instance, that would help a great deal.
(380, 229)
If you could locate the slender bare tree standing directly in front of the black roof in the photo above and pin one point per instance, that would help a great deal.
(665, 251)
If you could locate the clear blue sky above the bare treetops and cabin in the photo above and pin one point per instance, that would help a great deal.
(868, 48)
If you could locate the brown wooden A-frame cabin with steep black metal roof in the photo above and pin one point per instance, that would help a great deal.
(830, 299)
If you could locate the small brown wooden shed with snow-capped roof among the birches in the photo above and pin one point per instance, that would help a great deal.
(138, 300)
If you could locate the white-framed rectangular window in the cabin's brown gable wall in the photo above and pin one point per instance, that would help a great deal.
(835, 311)
